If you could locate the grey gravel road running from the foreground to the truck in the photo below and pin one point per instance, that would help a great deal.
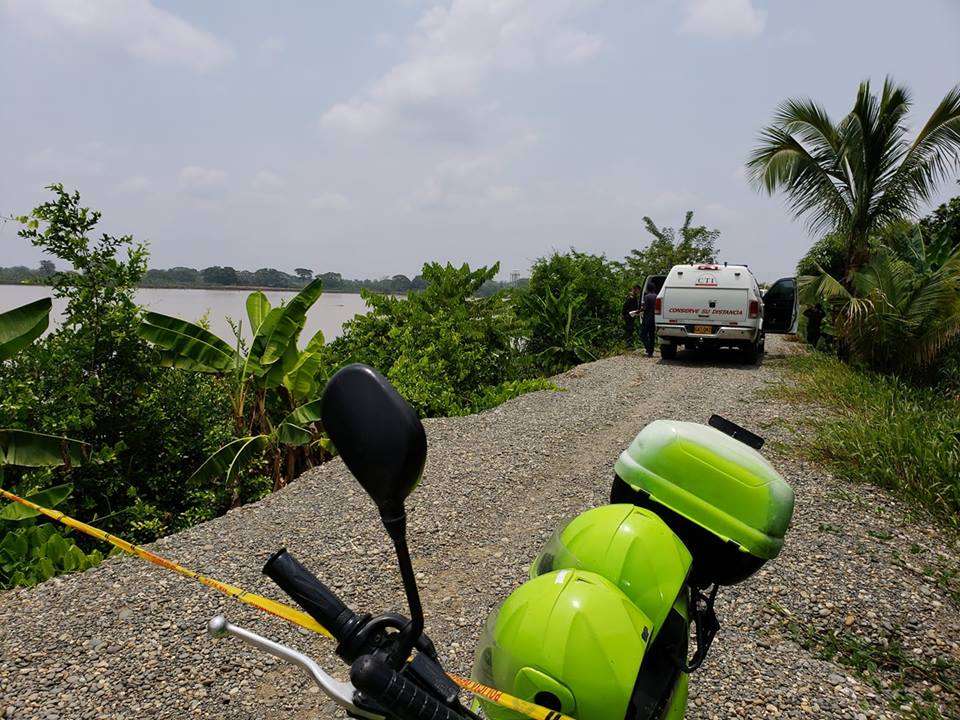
(127, 640)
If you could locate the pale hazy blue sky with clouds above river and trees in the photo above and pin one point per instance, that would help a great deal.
(367, 137)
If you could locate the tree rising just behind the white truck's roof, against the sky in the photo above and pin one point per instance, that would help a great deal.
(696, 243)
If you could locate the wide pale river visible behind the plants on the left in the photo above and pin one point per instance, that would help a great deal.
(329, 313)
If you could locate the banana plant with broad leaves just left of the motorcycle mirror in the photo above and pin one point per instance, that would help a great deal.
(273, 372)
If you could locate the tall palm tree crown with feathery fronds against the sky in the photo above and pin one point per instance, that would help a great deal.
(857, 175)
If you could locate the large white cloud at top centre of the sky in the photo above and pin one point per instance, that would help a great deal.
(454, 50)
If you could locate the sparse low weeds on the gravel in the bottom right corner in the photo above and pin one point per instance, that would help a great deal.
(884, 664)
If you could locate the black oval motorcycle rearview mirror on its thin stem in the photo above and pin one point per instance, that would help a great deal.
(382, 442)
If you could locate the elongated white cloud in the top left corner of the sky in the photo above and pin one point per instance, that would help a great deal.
(136, 27)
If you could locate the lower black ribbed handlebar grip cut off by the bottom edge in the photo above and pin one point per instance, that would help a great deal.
(403, 699)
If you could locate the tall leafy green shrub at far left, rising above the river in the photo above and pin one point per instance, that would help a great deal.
(95, 380)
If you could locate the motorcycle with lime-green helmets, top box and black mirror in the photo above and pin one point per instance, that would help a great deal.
(619, 608)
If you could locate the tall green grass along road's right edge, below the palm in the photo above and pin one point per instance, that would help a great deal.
(878, 429)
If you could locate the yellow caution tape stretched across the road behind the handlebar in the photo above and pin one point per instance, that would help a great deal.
(277, 609)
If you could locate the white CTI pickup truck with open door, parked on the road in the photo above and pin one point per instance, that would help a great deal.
(721, 306)
